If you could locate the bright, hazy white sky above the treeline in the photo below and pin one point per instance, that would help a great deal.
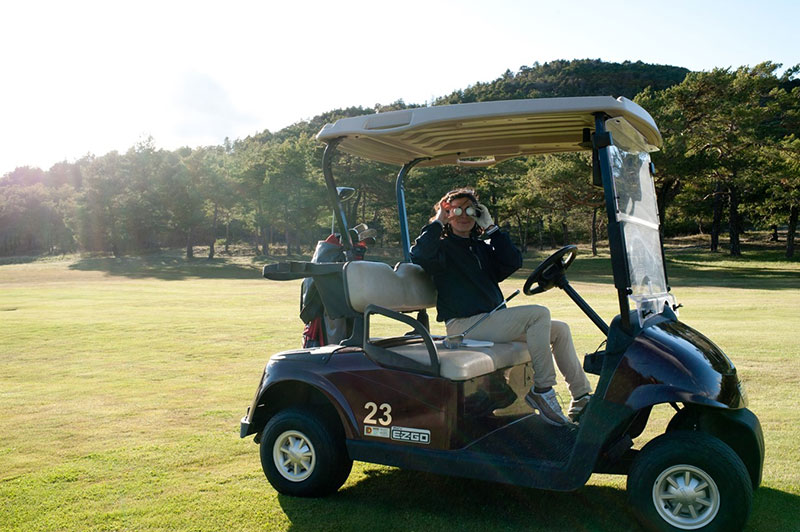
(80, 77)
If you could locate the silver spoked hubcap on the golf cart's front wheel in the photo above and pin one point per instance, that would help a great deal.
(686, 497)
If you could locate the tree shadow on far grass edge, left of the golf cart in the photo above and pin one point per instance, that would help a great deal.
(171, 268)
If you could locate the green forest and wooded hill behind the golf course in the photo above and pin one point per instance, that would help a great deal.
(730, 164)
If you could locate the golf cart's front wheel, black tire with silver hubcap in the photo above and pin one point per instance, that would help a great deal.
(686, 480)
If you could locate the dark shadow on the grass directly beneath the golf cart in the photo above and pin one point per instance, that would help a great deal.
(406, 500)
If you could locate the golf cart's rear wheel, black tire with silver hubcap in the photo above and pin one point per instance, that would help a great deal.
(303, 454)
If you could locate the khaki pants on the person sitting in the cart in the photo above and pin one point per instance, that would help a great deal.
(547, 339)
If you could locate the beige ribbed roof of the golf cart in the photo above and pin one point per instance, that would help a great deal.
(483, 133)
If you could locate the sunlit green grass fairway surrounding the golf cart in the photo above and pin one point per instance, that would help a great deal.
(122, 382)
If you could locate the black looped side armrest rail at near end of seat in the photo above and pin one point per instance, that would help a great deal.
(386, 357)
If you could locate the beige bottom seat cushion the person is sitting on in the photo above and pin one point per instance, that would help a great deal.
(469, 362)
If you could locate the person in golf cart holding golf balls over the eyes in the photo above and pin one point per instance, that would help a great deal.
(467, 271)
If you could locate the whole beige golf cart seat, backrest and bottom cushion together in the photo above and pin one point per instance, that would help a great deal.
(376, 288)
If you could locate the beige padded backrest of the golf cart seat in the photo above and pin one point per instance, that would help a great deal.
(405, 288)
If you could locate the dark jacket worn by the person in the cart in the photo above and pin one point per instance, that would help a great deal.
(466, 271)
